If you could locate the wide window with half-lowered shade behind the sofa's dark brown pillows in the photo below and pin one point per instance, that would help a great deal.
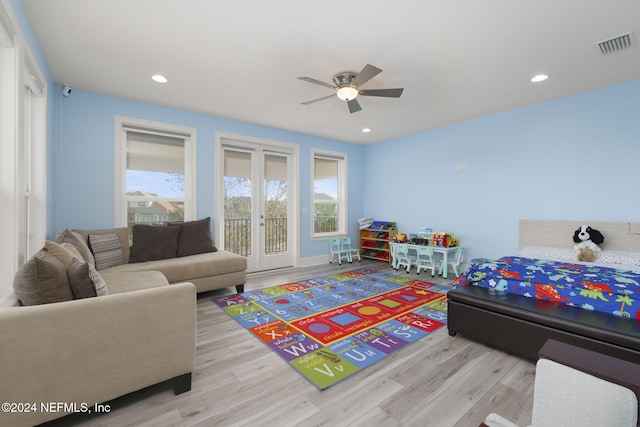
(156, 172)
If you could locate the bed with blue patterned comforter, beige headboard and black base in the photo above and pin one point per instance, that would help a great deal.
(519, 301)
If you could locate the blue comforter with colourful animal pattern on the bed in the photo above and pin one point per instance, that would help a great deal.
(604, 289)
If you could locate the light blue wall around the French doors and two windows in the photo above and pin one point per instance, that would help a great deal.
(84, 192)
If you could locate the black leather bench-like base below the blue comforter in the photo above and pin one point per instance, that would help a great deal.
(522, 325)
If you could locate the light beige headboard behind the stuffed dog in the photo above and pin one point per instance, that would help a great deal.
(618, 236)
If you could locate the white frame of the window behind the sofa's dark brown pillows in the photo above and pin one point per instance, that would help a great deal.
(124, 124)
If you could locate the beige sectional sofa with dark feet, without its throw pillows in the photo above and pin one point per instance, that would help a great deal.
(77, 353)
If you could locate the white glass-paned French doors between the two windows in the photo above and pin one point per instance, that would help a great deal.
(256, 200)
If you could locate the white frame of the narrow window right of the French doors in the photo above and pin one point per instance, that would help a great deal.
(342, 159)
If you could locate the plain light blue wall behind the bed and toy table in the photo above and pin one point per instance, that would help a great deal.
(574, 158)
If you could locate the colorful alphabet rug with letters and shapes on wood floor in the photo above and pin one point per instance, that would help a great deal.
(329, 328)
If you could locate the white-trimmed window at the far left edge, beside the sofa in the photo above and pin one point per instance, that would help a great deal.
(24, 94)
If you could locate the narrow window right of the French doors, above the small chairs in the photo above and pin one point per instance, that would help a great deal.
(329, 193)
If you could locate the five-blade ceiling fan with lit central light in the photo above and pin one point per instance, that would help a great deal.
(347, 87)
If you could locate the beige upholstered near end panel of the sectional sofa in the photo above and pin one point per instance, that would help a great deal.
(96, 349)
